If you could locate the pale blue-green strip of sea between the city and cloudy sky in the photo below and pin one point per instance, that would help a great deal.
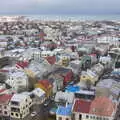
(74, 17)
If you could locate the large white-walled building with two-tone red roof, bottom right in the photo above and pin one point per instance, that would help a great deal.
(101, 108)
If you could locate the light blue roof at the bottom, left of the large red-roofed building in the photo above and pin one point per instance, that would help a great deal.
(65, 111)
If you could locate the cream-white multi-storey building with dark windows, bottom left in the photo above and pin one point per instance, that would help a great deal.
(20, 105)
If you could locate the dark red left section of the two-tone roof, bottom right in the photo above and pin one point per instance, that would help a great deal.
(82, 106)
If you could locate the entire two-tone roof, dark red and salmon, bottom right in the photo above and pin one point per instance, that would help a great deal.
(100, 106)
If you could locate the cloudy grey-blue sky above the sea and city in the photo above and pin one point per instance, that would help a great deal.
(59, 7)
